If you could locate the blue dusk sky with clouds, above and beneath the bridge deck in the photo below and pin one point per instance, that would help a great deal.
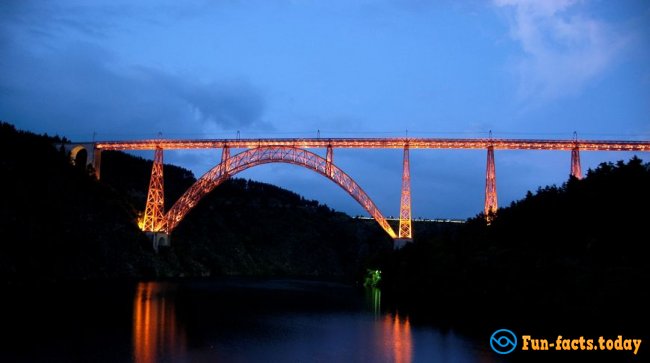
(523, 69)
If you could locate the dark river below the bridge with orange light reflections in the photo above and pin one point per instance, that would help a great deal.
(233, 320)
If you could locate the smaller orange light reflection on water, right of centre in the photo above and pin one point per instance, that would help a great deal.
(396, 338)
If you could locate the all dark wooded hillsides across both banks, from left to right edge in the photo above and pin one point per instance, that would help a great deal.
(575, 251)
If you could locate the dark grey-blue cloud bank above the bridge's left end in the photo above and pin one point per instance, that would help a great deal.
(80, 88)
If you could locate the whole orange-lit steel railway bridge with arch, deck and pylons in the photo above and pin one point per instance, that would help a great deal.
(159, 224)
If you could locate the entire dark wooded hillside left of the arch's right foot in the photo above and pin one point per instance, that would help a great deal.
(58, 223)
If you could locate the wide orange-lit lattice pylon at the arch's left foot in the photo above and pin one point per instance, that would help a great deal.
(154, 219)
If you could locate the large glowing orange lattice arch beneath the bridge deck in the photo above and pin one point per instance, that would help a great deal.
(264, 155)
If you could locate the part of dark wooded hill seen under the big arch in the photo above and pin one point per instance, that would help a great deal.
(255, 228)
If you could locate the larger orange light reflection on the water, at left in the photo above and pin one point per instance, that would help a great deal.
(156, 333)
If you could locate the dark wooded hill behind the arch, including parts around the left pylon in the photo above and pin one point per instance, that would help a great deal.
(245, 227)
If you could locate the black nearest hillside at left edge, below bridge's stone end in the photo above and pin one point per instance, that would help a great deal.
(57, 222)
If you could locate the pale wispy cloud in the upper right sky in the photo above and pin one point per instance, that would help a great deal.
(564, 50)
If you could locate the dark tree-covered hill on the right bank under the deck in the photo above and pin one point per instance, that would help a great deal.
(578, 251)
